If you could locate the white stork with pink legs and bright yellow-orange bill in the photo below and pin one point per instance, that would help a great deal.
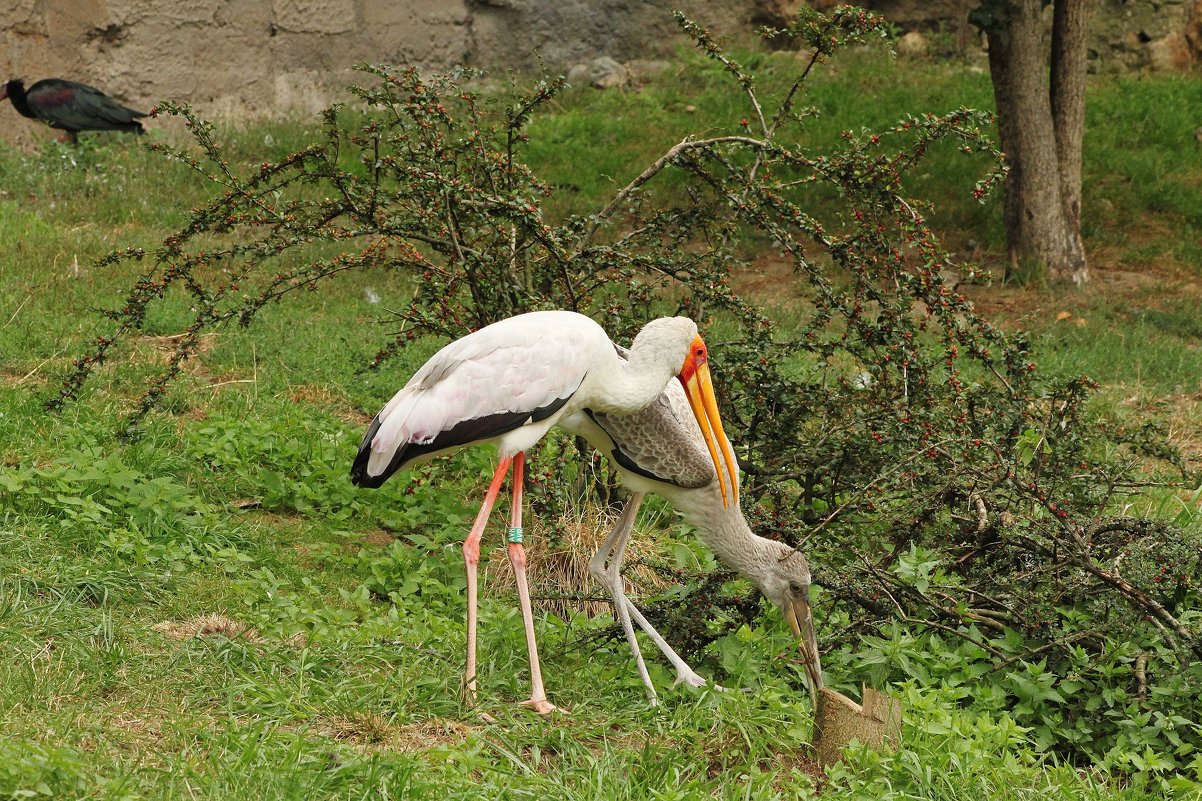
(509, 384)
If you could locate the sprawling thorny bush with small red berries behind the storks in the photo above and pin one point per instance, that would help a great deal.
(891, 423)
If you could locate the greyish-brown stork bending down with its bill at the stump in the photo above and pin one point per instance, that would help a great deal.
(662, 450)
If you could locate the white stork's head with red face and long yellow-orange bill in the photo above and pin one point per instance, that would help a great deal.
(677, 341)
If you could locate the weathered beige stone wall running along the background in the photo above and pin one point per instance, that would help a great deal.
(247, 58)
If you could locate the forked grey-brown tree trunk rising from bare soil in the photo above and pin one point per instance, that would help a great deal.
(1042, 129)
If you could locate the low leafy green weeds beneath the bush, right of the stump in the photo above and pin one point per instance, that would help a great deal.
(1128, 708)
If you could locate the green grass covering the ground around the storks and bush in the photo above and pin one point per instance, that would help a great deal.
(347, 683)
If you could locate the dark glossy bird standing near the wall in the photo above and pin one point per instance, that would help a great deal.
(72, 108)
